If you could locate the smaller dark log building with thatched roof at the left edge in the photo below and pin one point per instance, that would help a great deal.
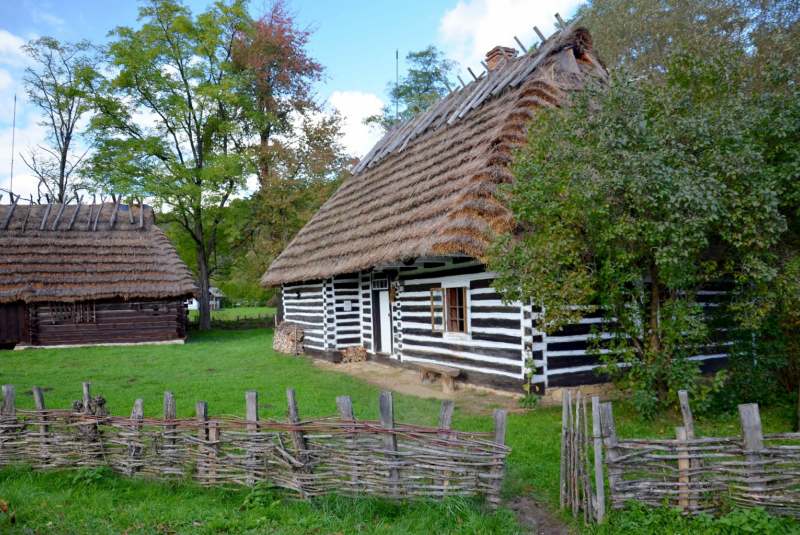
(89, 274)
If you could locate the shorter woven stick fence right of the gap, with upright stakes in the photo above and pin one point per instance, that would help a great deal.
(697, 474)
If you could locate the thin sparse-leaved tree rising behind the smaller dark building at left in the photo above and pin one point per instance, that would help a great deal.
(56, 83)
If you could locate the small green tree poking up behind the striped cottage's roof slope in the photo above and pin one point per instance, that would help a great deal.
(427, 79)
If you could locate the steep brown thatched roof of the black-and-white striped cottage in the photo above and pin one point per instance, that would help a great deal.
(428, 187)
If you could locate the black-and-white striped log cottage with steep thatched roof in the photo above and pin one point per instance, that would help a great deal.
(392, 262)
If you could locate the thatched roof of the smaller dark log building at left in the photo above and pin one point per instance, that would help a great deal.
(126, 260)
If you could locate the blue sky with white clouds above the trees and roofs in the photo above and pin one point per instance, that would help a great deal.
(355, 40)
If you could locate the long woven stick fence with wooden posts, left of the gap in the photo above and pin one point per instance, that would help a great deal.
(310, 457)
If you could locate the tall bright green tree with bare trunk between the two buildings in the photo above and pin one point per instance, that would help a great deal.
(191, 153)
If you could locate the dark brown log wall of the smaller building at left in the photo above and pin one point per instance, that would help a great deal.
(107, 322)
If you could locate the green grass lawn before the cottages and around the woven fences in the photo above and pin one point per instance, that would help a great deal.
(218, 367)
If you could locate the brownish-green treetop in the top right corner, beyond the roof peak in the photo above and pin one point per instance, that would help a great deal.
(640, 35)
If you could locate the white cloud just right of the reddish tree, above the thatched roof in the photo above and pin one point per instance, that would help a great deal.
(355, 106)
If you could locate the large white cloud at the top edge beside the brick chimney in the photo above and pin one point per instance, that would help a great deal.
(472, 28)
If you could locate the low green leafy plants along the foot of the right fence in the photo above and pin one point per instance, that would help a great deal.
(638, 519)
